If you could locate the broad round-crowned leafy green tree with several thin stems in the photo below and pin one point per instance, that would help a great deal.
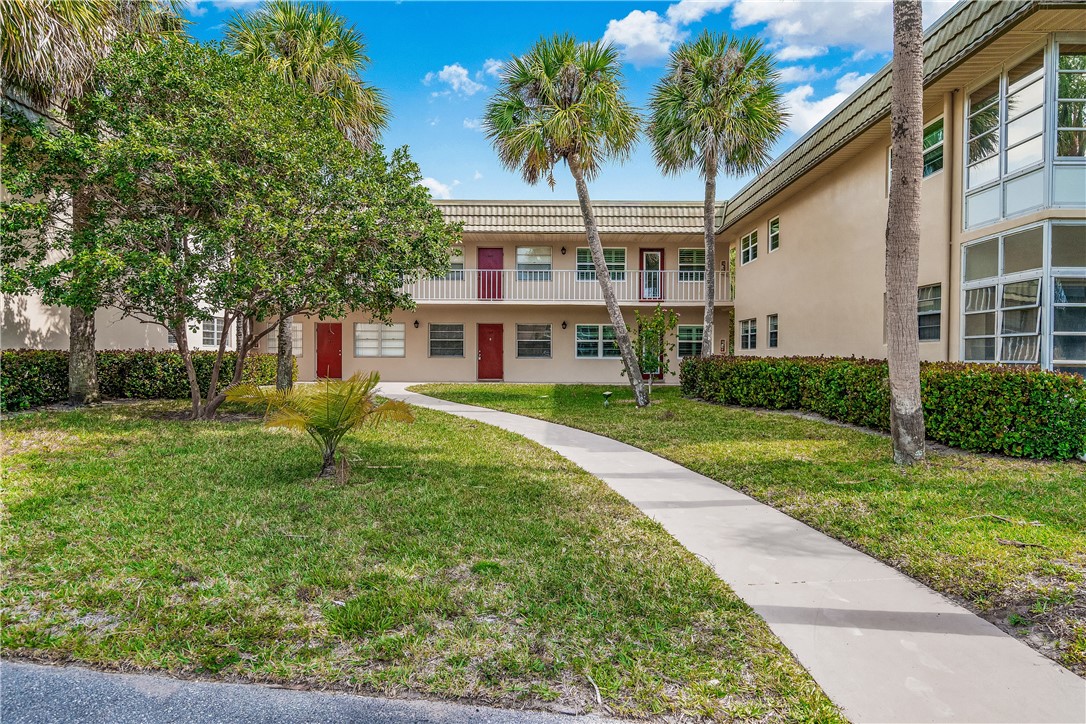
(220, 187)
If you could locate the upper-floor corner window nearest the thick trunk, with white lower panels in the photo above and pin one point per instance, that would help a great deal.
(1006, 147)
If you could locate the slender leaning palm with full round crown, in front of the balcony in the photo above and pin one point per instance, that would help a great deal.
(564, 101)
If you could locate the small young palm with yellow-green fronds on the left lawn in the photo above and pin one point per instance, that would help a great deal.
(326, 412)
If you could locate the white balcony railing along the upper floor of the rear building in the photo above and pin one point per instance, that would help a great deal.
(566, 287)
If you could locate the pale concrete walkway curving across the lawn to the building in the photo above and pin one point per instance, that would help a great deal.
(882, 646)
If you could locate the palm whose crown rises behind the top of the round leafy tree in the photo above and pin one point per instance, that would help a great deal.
(312, 47)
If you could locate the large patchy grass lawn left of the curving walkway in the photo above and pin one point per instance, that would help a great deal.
(458, 561)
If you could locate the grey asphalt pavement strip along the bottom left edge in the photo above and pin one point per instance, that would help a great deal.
(55, 695)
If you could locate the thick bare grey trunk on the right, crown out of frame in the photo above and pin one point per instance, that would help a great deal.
(903, 234)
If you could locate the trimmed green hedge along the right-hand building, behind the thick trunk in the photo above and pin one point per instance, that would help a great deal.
(990, 409)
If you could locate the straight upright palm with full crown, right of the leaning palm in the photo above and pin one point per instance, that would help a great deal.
(718, 108)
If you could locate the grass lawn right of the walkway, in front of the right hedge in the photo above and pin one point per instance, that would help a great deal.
(952, 523)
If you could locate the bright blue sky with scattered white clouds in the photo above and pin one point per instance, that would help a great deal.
(437, 63)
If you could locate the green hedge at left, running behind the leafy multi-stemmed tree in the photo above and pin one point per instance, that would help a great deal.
(30, 378)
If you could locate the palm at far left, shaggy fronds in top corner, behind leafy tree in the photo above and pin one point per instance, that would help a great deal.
(49, 50)
